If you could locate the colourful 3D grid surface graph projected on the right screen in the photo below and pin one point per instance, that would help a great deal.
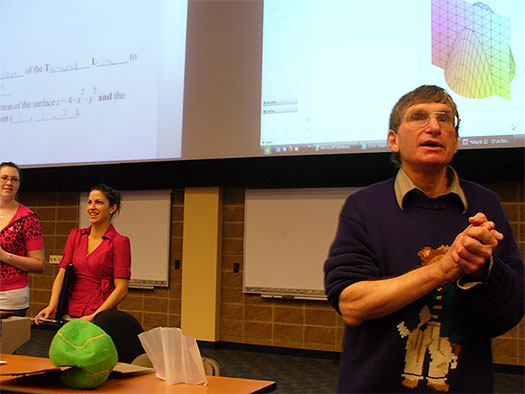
(472, 44)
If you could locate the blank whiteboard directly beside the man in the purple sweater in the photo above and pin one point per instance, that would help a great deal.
(287, 233)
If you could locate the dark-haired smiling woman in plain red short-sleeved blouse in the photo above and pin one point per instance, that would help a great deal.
(101, 258)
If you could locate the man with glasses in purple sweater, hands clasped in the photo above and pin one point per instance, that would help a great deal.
(424, 268)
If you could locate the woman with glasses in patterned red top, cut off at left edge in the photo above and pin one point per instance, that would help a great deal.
(21, 243)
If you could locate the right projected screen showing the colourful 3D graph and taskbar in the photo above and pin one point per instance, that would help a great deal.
(332, 70)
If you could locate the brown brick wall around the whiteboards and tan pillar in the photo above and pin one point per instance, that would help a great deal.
(247, 319)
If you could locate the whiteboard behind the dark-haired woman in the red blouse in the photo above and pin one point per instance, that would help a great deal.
(145, 218)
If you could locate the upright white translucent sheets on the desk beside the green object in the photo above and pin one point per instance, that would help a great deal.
(175, 357)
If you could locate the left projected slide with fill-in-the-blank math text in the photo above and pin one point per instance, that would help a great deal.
(102, 81)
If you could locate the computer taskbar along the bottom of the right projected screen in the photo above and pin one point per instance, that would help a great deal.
(485, 142)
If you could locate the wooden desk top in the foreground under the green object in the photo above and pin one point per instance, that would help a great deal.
(146, 382)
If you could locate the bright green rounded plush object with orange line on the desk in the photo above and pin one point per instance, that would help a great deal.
(87, 348)
